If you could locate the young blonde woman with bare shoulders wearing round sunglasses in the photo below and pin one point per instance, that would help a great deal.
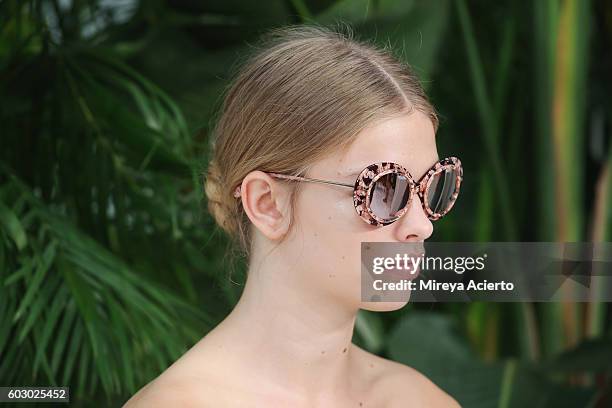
(306, 115)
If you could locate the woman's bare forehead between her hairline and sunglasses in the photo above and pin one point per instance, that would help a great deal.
(408, 140)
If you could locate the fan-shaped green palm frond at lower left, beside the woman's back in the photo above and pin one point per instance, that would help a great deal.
(68, 303)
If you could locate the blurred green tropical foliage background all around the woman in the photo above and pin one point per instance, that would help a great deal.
(110, 267)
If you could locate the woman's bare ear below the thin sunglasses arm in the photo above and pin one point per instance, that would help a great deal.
(267, 204)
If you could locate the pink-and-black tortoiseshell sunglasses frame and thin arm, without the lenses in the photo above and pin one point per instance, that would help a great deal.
(366, 180)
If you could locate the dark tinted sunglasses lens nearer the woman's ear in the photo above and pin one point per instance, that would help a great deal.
(389, 194)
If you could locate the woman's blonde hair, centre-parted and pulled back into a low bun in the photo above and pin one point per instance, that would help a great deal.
(304, 93)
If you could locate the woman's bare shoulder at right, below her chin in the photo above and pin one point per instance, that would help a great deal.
(404, 384)
